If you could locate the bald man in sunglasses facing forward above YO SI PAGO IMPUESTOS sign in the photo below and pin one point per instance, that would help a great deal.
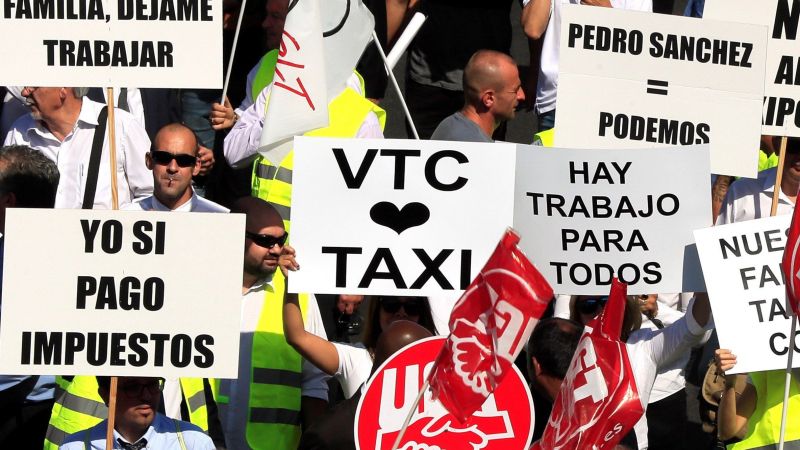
(174, 160)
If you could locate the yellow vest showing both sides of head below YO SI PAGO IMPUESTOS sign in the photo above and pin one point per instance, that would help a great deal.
(78, 406)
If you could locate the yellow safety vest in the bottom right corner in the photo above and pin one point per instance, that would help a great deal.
(764, 425)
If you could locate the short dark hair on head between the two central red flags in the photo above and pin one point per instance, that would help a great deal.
(552, 343)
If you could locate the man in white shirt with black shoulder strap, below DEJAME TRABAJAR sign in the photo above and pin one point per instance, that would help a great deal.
(62, 125)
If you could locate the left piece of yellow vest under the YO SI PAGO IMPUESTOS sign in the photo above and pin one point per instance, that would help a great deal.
(77, 408)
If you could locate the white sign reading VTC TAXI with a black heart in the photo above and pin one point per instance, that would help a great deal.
(399, 217)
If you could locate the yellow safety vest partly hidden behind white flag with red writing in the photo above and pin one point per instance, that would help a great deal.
(346, 114)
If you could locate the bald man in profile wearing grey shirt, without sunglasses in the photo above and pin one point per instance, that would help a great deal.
(492, 90)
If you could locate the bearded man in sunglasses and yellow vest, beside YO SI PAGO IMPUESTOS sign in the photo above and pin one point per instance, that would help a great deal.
(276, 390)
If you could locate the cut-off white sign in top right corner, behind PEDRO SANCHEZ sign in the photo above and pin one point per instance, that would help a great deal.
(781, 113)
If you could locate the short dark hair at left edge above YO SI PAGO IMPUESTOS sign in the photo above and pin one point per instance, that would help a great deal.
(30, 175)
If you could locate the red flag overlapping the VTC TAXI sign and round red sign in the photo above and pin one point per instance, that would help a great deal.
(489, 326)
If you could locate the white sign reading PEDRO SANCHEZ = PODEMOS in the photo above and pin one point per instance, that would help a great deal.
(630, 79)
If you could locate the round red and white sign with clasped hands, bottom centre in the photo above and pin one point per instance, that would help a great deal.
(505, 421)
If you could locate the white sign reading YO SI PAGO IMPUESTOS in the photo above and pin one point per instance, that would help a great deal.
(121, 293)
